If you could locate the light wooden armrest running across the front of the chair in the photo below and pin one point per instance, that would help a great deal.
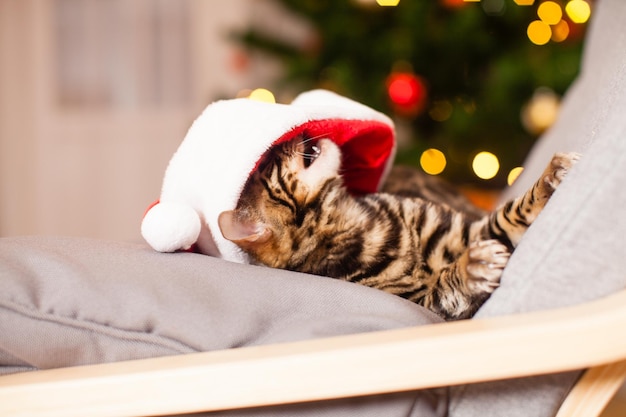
(576, 337)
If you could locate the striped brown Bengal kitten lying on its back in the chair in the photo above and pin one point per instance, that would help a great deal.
(295, 213)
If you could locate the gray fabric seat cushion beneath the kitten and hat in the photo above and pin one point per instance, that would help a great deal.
(69, 301)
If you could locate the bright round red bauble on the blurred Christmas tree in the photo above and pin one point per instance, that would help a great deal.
(407, 93)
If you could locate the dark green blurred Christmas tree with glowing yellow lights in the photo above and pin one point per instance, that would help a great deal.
(458, 77)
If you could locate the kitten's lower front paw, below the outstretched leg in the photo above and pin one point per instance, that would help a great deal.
(486, 261)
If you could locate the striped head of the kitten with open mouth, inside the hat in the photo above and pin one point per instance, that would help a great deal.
(276, 205)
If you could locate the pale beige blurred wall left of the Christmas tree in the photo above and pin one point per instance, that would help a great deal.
(95, 96)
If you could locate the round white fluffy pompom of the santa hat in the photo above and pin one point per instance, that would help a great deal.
(171, 226)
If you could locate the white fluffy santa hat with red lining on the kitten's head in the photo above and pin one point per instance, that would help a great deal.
(223, 146)
